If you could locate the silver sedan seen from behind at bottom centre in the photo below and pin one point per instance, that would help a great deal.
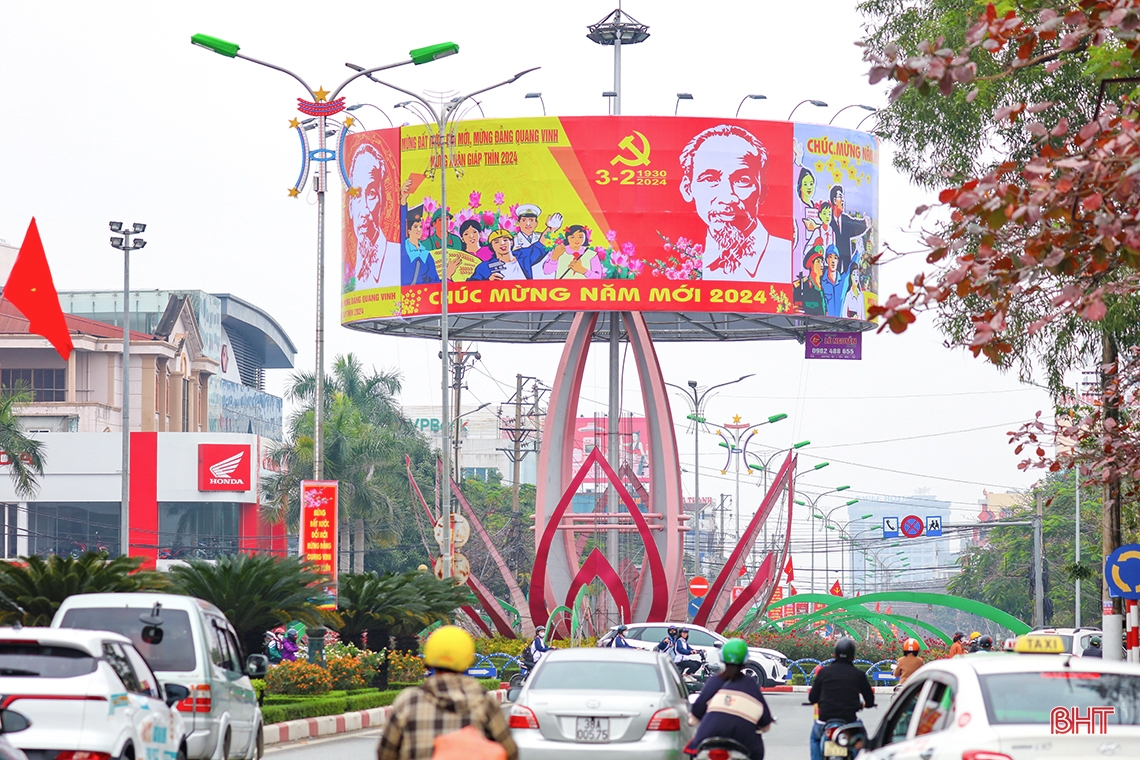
(596, 704)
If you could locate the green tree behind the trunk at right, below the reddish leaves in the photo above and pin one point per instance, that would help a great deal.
(1000, 573)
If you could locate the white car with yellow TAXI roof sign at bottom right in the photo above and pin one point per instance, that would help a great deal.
(1014, 707)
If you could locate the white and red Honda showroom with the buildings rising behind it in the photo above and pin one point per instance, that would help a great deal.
(197, 467)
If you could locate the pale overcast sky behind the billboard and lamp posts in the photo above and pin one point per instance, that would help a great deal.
(112, 115)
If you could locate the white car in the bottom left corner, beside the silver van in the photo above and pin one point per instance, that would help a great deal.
(88, 696)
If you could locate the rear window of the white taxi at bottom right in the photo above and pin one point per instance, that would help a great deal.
(1031, 698)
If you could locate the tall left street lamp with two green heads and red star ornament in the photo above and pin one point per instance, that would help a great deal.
(323, 107)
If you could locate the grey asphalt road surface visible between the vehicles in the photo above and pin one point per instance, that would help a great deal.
(788, 739)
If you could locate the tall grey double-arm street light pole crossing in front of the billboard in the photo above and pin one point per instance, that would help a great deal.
(444, 120)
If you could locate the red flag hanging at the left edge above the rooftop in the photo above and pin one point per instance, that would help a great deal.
(32, 291)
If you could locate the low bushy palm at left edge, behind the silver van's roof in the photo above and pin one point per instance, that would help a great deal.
(32, 589)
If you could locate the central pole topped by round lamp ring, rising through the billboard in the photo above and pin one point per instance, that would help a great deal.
(616, 30)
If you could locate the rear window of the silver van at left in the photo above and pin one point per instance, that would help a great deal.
(174, 655)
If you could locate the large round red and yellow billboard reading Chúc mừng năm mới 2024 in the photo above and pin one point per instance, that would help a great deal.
(712, 228)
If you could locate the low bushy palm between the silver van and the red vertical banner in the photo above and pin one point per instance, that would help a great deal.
(256, 592)
